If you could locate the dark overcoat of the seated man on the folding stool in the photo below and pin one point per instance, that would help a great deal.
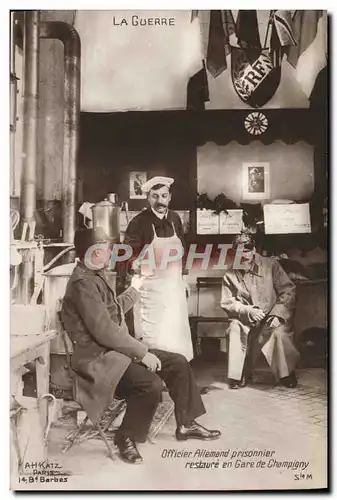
(93, 317)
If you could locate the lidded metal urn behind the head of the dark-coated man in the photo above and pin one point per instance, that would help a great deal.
(106, 215)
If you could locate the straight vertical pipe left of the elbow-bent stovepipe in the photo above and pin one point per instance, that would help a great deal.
(30, 115)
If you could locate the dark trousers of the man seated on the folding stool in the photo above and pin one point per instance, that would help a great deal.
(142, 390)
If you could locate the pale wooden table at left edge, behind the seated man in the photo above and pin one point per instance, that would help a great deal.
(32, 348)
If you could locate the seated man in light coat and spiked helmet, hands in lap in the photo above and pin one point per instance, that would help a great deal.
(260, 301)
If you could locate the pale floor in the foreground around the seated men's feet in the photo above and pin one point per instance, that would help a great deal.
(290, 425)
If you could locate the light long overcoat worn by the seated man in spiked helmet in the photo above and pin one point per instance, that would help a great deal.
(266, 286)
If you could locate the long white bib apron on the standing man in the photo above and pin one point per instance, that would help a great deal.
(161, 315)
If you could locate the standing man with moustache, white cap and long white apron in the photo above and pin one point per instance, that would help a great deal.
(156, 235)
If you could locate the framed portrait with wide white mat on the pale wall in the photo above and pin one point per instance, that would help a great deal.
(255, 181)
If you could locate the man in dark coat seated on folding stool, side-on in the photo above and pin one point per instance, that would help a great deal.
(107, 360)
